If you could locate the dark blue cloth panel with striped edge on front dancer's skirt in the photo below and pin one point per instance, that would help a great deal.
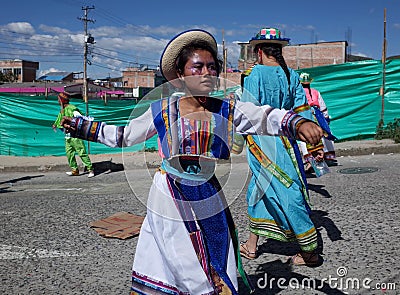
(211, 241)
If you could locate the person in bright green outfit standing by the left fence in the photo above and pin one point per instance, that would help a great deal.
(72, 145)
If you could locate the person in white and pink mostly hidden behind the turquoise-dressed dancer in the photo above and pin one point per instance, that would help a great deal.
(315, 99)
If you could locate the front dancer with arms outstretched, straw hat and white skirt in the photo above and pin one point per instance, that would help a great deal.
(188, 242)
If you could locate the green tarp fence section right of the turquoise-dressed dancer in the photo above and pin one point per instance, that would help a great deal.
(351, 92)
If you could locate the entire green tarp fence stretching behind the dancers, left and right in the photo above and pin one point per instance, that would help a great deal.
(351, 92)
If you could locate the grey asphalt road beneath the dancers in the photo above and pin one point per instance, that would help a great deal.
(47, 246)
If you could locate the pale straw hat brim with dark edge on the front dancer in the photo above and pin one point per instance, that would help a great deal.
(175, 46)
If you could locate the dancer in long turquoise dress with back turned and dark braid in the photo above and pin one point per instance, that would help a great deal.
(277, 194)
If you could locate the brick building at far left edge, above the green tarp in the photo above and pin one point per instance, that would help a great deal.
(23, 70)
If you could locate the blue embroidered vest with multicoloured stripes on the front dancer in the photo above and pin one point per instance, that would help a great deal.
(181, 136)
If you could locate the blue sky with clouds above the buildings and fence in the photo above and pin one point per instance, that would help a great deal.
(127, 33)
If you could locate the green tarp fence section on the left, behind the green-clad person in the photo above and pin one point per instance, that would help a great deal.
(25, 124)
